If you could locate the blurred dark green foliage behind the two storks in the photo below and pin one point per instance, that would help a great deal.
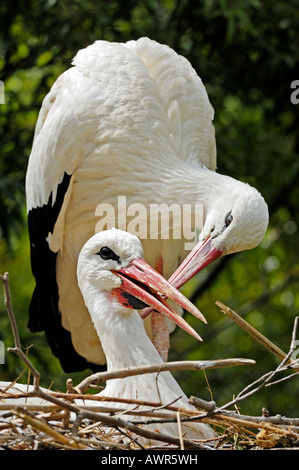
(247, 54)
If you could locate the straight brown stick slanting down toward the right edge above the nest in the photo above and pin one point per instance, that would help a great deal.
(253, 332)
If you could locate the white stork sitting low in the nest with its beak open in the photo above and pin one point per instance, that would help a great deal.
(115, 281)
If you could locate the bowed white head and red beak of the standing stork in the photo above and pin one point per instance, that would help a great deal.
(235, 221)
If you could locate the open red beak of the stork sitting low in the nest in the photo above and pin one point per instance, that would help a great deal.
(142, 287)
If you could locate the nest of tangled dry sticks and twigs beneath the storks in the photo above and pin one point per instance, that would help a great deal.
(36, 418)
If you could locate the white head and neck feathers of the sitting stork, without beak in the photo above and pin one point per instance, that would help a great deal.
(121, 330)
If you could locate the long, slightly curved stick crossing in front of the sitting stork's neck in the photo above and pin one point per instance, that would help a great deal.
(100, 377)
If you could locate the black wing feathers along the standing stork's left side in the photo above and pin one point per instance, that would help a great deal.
(44, 313)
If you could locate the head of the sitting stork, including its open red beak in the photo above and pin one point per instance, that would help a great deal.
(111, 262)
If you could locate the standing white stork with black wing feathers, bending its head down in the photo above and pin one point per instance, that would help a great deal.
(134, 120)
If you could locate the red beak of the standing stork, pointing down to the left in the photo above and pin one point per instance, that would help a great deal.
(201, 256)
